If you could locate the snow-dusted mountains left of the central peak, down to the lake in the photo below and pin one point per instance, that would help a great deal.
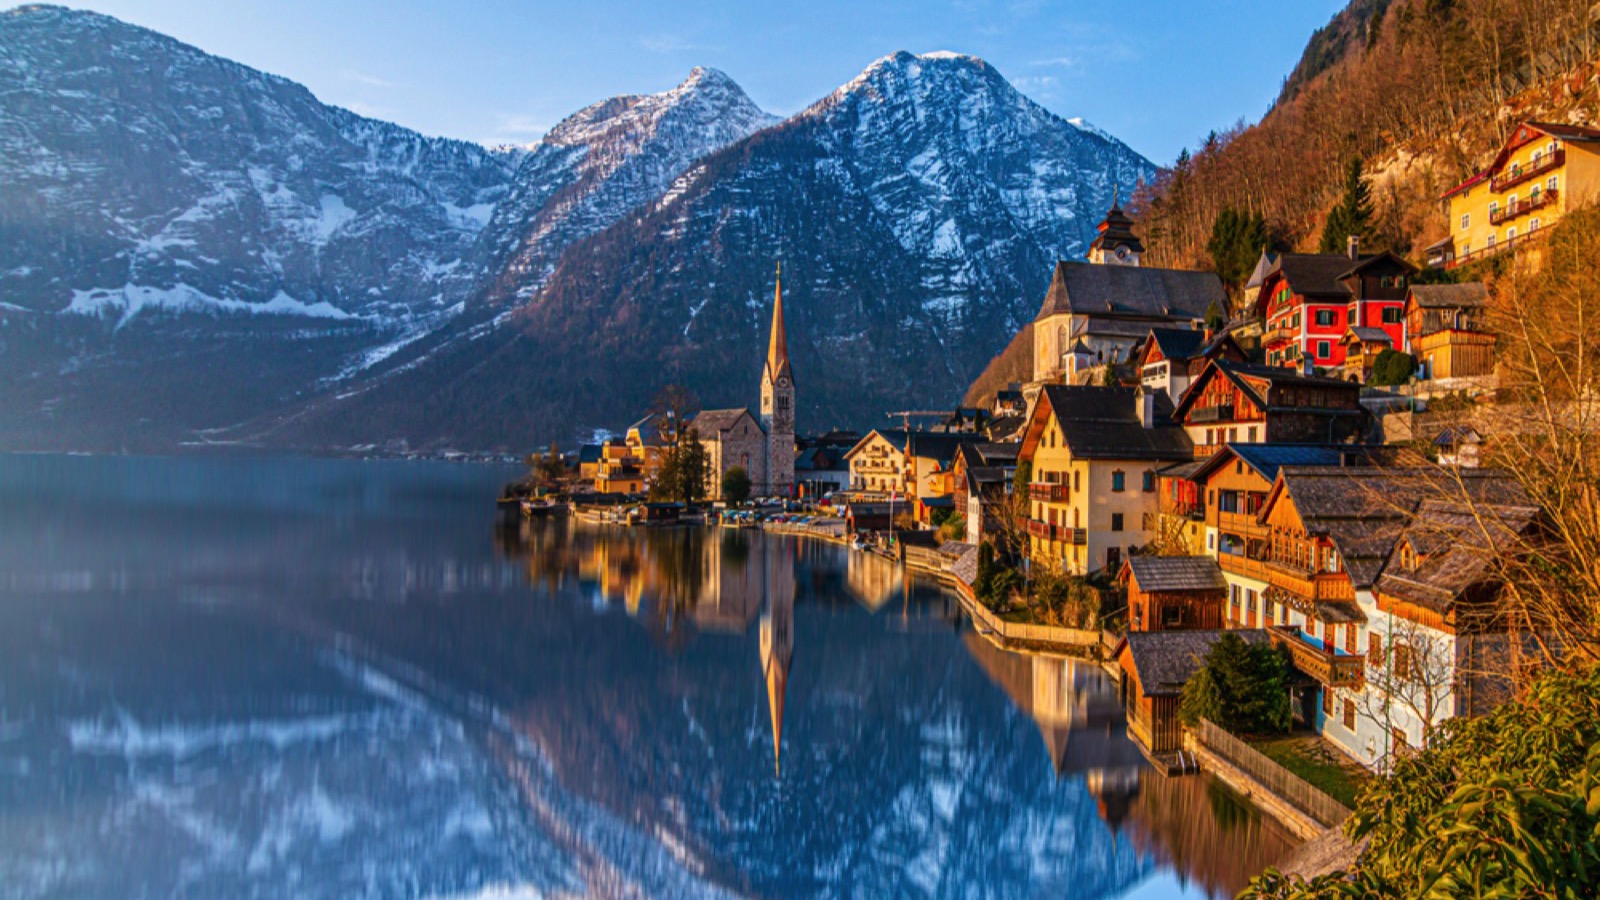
(188, 243)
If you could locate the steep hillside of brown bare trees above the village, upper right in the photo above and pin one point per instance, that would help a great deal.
(1420, 90)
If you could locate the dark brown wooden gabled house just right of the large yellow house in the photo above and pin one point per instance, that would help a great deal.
(1234, 403)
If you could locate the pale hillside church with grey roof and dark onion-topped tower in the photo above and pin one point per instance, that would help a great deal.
(1097, 313)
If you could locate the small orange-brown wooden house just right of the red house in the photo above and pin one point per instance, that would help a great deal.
(1446, 331)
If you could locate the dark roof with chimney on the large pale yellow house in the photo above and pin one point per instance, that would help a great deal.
(1103, 424)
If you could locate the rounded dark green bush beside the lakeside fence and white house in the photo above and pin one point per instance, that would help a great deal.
(1242, 688)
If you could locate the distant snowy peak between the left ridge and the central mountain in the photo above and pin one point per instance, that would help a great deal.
(606, 161)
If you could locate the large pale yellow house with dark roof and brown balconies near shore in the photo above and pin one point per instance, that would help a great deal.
(1095, 454)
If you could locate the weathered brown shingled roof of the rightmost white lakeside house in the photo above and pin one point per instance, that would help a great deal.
(1458, 545)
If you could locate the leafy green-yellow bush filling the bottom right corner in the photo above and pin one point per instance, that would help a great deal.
(1498, 806)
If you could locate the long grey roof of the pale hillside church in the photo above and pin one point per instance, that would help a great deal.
(1132, 291)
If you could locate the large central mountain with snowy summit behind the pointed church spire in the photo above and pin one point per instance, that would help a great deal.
(919, 211)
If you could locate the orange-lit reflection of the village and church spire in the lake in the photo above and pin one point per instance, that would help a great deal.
(679, 584)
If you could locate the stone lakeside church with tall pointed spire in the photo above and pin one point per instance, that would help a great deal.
(766, 448)
